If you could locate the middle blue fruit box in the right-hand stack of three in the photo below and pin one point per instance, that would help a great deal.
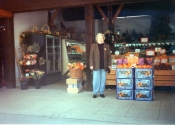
(144, 84)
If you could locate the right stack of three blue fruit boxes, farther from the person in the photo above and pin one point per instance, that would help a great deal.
(144, 84)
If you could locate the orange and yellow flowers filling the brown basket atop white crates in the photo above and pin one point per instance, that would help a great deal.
(76, 65)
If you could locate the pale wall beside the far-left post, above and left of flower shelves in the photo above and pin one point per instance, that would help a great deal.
(25, 22)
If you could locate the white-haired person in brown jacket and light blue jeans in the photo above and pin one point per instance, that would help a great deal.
(100, 62)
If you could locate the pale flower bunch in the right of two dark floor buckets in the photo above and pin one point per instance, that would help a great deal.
(36, 74)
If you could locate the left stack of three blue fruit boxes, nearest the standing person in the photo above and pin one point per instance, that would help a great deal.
(125, 83)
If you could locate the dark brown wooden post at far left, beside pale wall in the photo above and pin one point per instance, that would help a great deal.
(9, 53)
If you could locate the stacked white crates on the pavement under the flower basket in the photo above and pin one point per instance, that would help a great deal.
(74, 85)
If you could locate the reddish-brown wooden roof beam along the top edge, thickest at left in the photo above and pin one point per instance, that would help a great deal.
(35, 5)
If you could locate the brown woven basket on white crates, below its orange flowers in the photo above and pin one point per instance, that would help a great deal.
(76, 73)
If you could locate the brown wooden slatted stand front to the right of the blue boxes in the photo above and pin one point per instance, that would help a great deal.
(164, 77)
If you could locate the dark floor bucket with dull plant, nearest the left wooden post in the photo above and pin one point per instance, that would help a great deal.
(24, 82)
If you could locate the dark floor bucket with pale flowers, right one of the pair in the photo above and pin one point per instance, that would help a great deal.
(36, 75)
